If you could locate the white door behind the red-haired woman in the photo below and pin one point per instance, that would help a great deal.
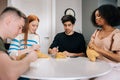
(41, 8)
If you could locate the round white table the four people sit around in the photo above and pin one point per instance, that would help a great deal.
(70, 68)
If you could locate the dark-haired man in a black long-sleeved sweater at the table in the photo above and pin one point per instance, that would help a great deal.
(69, 42)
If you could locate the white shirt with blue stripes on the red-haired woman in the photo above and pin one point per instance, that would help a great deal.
(18, 43)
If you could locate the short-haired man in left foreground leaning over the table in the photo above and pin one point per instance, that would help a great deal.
(11, 23)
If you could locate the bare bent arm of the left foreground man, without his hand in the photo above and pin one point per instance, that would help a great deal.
(12, 69)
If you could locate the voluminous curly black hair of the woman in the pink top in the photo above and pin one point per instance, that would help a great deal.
(110, 13)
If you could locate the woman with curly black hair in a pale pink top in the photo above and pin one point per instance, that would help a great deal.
(106, 39)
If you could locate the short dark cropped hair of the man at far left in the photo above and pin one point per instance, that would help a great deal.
(14, 10)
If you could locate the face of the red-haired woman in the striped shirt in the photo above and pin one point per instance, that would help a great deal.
(33, 26)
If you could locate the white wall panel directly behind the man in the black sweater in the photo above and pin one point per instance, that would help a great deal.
(61, 6)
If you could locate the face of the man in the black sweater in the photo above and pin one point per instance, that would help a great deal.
(68, 27)
